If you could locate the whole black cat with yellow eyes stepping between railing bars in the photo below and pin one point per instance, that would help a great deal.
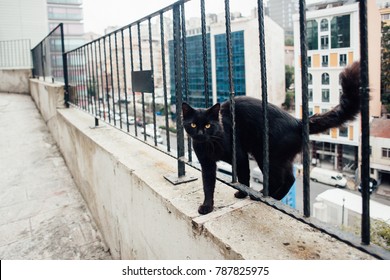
(211, 131)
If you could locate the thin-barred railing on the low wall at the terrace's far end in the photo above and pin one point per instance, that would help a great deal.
(15, 54)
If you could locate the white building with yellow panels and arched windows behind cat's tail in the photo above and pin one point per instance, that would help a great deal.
(333, 43)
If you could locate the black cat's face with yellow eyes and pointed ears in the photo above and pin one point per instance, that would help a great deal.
(202, 125)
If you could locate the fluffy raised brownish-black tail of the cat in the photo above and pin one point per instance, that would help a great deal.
(349, 105)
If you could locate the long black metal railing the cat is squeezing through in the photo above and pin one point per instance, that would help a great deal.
(125, 77)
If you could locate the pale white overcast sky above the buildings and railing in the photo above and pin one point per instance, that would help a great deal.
(99, 14)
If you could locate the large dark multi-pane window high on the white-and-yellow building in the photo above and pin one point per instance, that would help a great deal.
(340, 32)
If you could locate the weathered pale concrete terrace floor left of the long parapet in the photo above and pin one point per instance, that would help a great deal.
(43, 215)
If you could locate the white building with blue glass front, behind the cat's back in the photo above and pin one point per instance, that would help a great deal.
(245, 62)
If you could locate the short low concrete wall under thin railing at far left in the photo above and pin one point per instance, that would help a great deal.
(15, 81)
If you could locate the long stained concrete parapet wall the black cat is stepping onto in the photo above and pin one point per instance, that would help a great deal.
(143, 216)
